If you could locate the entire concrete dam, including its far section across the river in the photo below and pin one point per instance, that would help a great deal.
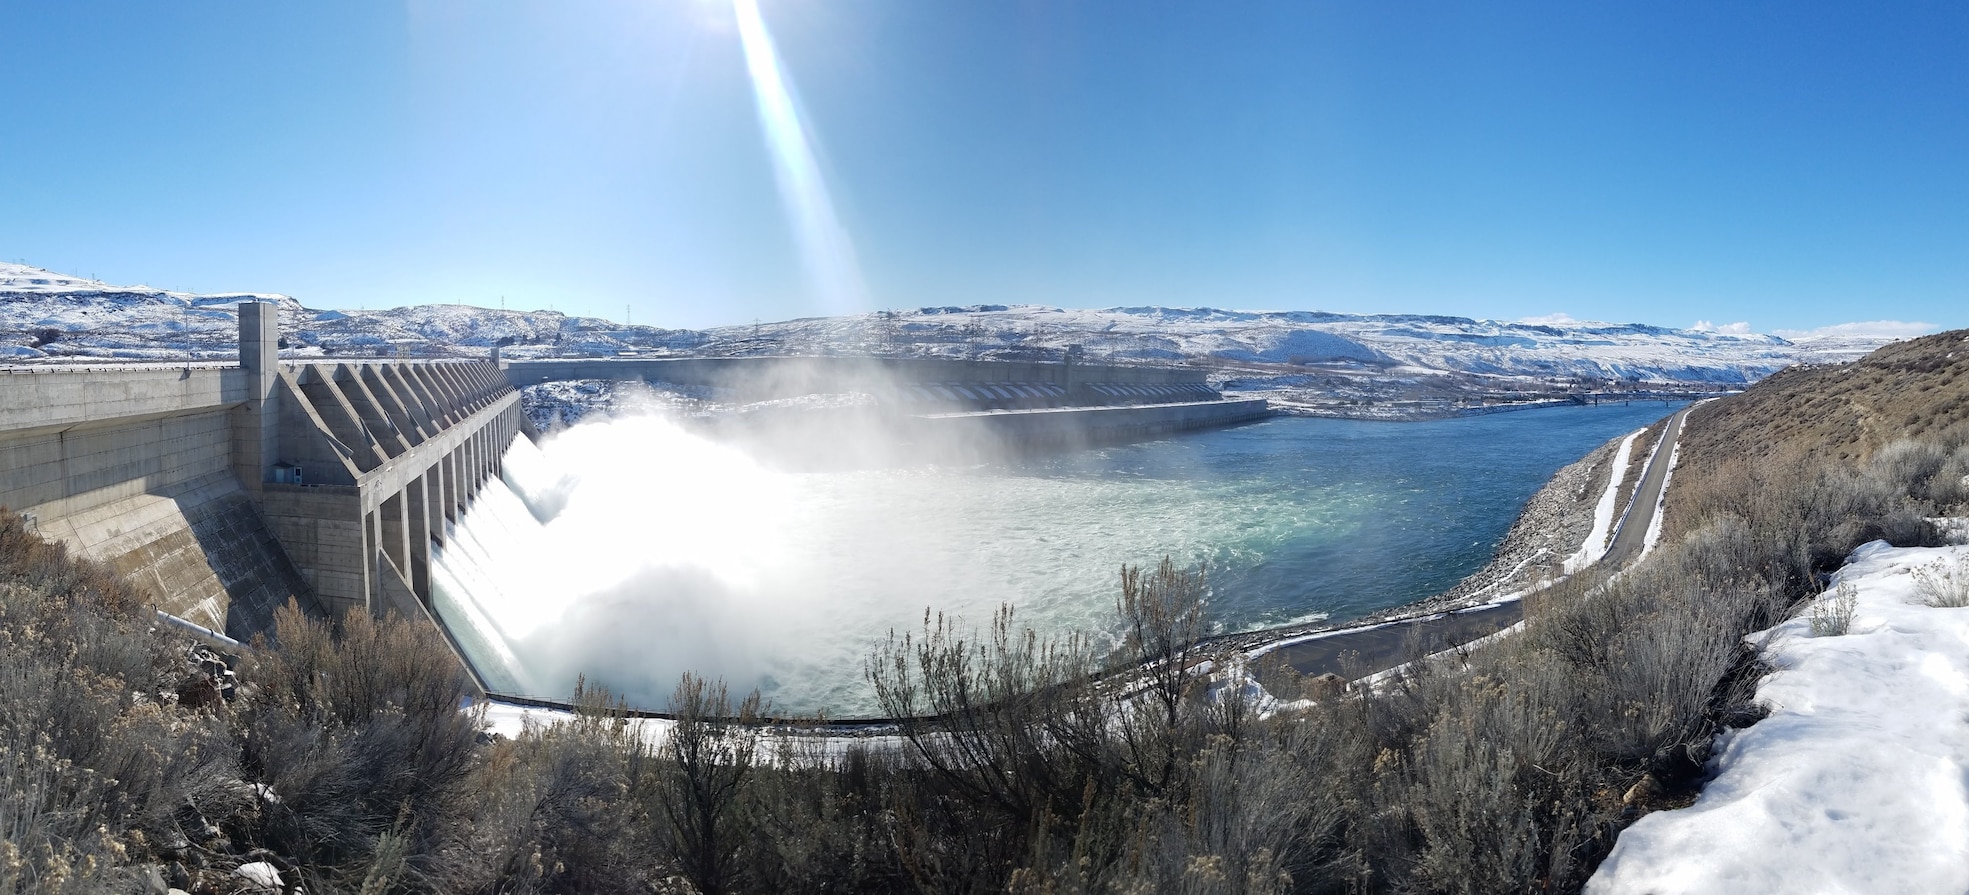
(231, 489)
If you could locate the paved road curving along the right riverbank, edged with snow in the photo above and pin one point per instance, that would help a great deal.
(1369, 650)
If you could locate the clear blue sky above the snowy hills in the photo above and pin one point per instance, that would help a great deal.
(1783, 164)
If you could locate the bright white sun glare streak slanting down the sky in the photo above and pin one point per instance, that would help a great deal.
(824, 245)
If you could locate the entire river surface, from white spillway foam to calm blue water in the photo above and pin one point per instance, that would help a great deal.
(631, 550)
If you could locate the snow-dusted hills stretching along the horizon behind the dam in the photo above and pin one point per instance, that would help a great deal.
(1304, 361)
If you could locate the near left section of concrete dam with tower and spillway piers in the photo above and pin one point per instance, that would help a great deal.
(233, 489)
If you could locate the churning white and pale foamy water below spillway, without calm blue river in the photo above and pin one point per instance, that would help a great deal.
(633, 552)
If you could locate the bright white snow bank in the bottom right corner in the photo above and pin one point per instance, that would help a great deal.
(1860, 778)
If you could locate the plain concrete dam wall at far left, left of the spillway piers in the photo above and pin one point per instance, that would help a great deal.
(135, 469)
